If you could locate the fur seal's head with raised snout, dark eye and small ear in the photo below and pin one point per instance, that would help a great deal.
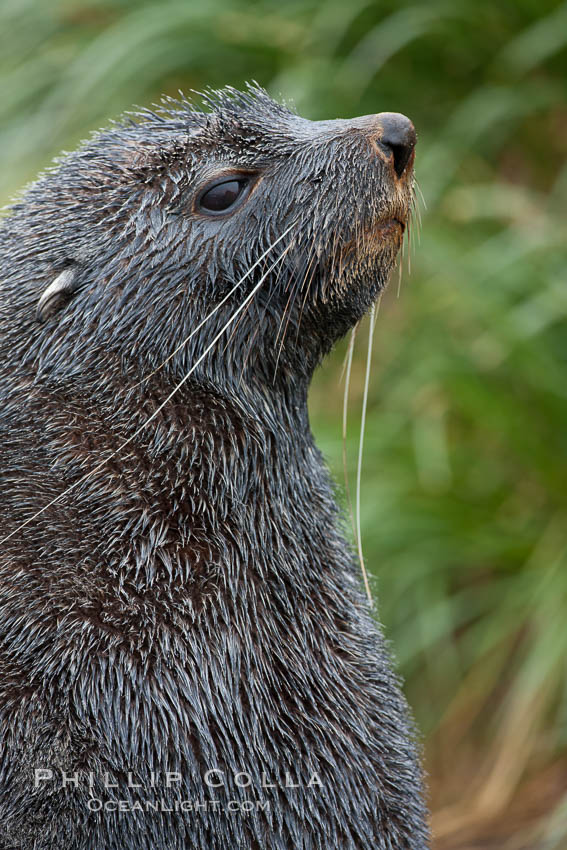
(151, 223)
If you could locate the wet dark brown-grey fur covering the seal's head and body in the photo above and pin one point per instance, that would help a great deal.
(193, 604)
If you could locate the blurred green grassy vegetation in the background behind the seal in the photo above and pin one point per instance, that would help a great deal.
(465, 472)
